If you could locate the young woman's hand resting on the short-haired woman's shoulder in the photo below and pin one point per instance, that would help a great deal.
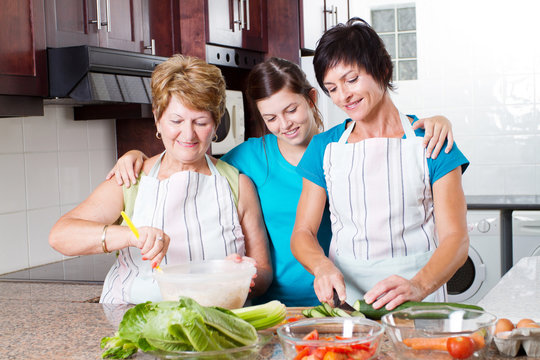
(438, 129)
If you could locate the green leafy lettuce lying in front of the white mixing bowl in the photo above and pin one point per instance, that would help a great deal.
(177, 326)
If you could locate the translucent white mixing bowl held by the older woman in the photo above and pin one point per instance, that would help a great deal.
(223, 283)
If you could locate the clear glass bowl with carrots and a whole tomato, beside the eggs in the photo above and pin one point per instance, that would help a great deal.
(440, 332)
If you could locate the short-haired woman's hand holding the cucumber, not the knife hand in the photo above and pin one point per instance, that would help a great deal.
(393, 291)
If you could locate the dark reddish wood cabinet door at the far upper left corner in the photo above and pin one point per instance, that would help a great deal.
(23, 67)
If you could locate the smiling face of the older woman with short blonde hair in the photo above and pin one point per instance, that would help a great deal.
(186, 133)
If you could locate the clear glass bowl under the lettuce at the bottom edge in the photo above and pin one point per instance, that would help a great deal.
(250, 352)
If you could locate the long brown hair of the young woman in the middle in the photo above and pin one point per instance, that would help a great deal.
(270, 77)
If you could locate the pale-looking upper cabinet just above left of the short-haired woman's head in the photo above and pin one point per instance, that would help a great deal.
(317, 16)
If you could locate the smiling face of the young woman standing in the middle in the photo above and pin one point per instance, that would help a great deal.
(289, 116)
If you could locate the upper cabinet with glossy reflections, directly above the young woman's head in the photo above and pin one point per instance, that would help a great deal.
(237, 23)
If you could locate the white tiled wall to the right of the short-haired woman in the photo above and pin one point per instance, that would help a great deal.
(479, 65)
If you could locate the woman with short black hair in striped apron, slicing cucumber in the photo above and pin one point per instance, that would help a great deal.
(398, 219)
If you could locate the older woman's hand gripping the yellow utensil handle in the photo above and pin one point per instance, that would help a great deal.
(153, 243)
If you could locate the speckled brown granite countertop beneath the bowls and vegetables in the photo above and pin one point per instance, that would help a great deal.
(63, 321)
